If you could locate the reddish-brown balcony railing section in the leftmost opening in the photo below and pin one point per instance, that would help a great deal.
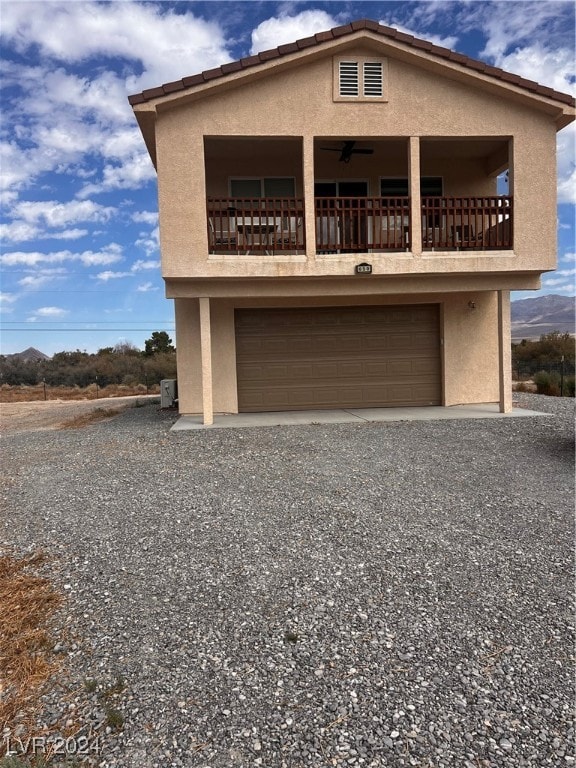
(255, 225)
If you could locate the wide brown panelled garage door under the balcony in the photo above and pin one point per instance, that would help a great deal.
(338, 357)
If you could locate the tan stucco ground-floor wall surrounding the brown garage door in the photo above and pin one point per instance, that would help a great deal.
(469, 348)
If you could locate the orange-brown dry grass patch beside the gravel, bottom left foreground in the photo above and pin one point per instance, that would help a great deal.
(27, 661)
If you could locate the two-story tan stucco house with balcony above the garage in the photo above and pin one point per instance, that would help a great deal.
(332, 230)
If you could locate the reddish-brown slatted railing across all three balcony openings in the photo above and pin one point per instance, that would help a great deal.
(274, 226)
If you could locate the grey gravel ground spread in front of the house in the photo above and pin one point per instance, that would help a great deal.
(392, 594)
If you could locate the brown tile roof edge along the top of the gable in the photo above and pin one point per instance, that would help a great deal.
(339, 32)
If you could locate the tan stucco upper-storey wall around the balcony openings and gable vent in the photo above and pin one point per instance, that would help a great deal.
(299, 104)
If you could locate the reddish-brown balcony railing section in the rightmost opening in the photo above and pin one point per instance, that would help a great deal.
(460, 223)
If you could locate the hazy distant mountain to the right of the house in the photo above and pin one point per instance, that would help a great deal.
(533, 317)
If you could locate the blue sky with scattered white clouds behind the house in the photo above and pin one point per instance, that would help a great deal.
(80, 261)
